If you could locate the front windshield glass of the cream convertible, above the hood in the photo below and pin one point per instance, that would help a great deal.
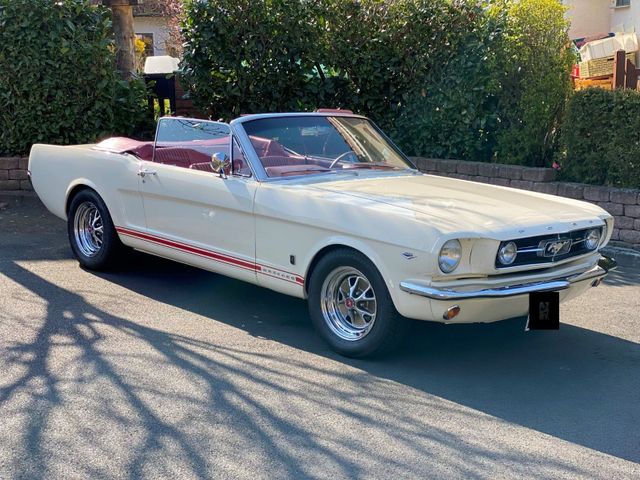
(307, 145)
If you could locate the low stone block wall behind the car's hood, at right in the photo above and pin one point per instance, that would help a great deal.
(622, 203)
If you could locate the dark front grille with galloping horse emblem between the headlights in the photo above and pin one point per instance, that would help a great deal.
(531, 250)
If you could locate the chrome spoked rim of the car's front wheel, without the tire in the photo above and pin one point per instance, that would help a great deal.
(349, 303)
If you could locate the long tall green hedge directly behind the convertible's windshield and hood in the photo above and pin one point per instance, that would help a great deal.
(469, 79)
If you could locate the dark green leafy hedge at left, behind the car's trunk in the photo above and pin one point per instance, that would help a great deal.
(58, 82)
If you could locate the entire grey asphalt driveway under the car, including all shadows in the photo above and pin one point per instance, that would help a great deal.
(162, 370)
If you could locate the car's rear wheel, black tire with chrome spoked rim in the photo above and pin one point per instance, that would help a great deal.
(92, 235)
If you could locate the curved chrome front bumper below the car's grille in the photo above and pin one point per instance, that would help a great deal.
(604, 266)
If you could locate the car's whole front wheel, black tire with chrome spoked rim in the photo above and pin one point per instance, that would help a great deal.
(350, 305)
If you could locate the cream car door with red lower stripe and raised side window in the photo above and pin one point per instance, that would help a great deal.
(193, 214)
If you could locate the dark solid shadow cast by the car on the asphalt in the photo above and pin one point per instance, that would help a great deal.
(575, 384)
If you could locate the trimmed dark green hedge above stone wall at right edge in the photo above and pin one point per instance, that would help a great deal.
(600, 142)
